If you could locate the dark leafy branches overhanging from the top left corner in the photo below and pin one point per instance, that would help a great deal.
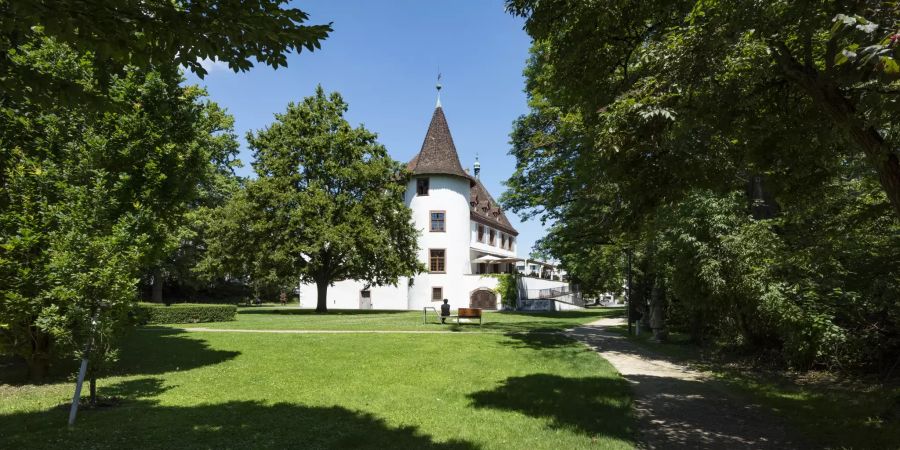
(115, 34)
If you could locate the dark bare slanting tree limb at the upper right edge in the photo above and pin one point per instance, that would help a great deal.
(842, 111)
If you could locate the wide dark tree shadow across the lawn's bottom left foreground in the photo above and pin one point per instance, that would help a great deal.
(142, 423)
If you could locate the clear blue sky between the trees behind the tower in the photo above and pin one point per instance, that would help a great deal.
(384, 57)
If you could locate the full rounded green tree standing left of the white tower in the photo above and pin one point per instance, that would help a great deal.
(327, 204)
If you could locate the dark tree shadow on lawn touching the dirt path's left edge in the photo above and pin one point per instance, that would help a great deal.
(593, 406)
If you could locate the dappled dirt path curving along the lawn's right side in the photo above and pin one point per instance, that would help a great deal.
(682, 408)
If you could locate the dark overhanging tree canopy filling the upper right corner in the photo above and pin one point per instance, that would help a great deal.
(694, 93)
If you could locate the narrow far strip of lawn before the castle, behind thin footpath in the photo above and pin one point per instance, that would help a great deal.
(272, 318)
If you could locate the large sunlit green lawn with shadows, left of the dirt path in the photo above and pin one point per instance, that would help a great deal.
(245, 390)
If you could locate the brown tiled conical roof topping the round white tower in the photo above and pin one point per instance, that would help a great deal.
(438, 154)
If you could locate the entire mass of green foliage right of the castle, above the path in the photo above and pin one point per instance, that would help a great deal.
(751, 172)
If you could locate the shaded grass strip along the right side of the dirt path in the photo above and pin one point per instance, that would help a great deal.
(828, 412)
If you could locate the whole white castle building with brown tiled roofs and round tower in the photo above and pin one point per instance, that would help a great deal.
(464, 237)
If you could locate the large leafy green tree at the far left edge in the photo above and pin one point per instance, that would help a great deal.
(87, 199)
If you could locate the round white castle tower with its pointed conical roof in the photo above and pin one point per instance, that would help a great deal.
(438, 195)
